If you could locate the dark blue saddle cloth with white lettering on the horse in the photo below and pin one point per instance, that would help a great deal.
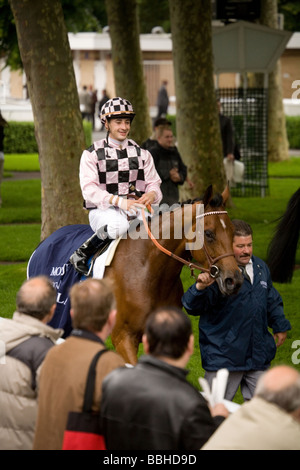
(51, 258)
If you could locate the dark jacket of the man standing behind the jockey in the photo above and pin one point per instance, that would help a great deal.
(165, 160)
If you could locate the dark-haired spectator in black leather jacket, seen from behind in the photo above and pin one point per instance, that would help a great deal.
(152, 406)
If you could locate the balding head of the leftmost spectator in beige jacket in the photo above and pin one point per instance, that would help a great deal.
(36, 297)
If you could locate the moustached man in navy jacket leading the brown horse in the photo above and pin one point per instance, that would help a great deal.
(233, 330)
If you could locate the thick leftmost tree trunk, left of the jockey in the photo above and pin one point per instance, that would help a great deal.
(48, 65)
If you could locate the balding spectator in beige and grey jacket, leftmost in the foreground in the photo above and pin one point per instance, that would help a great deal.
(24, 341)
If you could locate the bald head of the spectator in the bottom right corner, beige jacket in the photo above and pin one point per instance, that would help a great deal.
(281, 386)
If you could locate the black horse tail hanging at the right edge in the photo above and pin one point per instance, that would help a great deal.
(281, 253)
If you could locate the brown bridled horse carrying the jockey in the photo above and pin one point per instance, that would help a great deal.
(146, 269)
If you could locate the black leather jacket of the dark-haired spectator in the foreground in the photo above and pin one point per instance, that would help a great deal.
(152, 407)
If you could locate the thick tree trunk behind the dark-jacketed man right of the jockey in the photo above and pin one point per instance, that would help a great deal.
(198, 129)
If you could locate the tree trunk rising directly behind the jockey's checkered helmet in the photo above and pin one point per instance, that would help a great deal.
(127, 63)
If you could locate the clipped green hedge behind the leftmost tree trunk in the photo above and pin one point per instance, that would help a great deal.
(19, 137)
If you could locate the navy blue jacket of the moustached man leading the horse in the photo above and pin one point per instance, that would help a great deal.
(233, 330)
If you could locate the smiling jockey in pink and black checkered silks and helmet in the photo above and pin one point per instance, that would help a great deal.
(111, 170)
